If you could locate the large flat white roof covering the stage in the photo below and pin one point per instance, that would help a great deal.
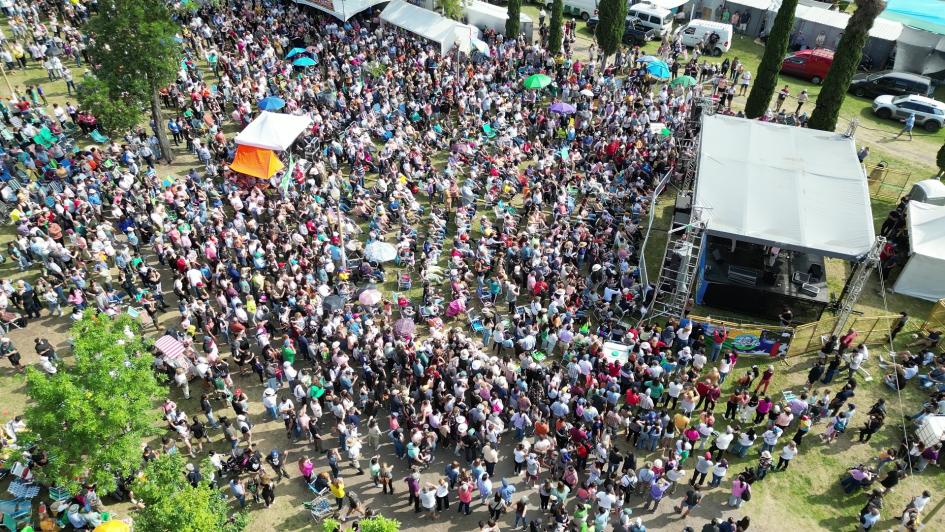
(798, 188)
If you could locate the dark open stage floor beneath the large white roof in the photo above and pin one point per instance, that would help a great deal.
(750, 280)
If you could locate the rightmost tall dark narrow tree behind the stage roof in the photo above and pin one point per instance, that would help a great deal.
(845, 62)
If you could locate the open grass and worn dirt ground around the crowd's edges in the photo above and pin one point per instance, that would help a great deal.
(805, 497)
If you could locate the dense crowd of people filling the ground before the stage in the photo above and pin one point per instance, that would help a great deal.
(517, 233)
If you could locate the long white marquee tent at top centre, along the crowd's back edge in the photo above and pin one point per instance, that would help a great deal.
(429, 25)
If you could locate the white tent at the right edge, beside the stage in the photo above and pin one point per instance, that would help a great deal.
(924, 275)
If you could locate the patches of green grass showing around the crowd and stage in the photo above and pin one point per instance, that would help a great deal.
(806, 497)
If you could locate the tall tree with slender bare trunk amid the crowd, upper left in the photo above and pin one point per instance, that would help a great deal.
(134, 54)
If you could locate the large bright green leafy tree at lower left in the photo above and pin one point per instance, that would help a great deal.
(91, 416)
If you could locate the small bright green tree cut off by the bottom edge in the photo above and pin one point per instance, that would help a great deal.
(172, 503)
